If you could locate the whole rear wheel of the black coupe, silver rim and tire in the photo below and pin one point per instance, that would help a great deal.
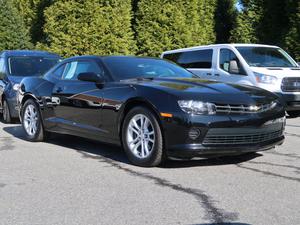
(32, 122)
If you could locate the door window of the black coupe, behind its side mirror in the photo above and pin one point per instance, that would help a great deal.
(73, 69)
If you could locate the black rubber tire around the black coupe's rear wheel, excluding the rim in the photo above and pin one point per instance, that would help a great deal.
(40, 134)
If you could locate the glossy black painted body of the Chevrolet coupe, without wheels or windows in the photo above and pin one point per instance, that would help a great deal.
(96, 111)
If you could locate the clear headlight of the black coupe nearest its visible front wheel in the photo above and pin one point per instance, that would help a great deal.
(197, 107)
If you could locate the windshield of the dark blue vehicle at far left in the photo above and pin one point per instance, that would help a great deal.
(30, 65)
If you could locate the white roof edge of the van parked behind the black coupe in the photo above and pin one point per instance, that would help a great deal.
(218, 45)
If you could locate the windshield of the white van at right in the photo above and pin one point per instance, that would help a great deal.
(266, 57)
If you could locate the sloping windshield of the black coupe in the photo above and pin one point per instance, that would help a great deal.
(124, 68)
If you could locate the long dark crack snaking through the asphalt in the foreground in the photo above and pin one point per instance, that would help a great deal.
(213, 213)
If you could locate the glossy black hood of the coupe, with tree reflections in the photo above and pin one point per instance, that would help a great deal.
(211, 91)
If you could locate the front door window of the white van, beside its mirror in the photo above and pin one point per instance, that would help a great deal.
(229, 62)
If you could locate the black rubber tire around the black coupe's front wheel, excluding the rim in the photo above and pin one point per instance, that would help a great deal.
(157, 154)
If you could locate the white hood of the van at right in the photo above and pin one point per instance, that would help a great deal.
(278, 72)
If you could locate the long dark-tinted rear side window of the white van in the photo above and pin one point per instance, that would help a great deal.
(199, 59)
